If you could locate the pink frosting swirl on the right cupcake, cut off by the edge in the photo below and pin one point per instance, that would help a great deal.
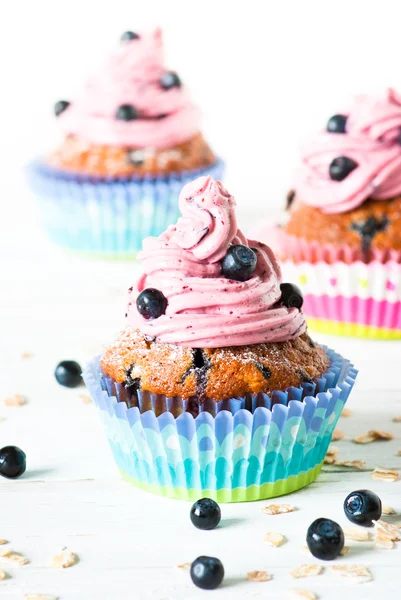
(372, 140)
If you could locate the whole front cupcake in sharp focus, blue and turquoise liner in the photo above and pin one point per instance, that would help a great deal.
(214, 388)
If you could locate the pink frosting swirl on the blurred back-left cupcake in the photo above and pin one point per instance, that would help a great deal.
(132, 76)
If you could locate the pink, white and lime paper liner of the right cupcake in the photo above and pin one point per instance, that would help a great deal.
(343, 295)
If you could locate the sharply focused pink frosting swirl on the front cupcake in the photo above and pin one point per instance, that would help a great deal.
(204, 308)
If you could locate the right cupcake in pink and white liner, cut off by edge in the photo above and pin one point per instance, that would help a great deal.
(342, 238)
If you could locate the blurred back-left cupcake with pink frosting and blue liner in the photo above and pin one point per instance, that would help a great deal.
(131, 140)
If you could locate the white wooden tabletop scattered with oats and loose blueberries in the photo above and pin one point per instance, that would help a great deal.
(129, 543)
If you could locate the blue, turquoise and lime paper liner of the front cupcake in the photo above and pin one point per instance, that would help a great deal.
(242, 450)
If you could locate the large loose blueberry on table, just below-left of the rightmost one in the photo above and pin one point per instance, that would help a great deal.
(325, 539)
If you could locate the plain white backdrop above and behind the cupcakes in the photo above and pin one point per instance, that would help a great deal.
(263, 72)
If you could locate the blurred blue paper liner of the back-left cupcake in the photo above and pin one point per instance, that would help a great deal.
(108, 217)
